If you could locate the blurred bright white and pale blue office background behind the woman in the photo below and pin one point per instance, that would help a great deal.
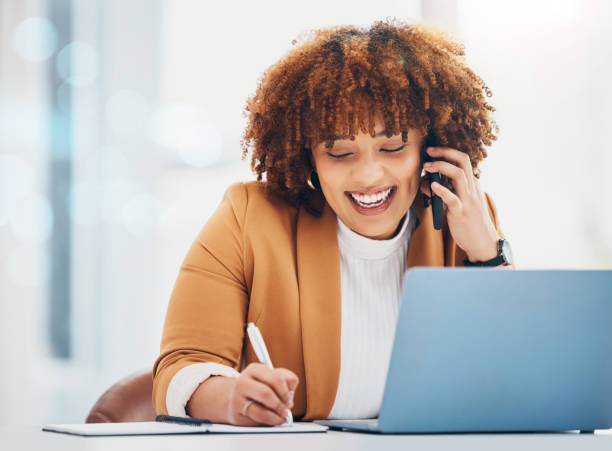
(120, 124)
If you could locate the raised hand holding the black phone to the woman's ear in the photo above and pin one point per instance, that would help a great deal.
(467, 213)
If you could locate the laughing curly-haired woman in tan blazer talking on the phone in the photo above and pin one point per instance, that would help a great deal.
(314, 255)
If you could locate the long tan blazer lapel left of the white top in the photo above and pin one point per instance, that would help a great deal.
(318, 267)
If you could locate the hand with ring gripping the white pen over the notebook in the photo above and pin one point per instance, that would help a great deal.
(270, 389)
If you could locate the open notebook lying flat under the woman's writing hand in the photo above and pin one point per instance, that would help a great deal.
(158, 428)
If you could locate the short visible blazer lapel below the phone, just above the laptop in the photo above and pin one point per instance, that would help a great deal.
(426, 243)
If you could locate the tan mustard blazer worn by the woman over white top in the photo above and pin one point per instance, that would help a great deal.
(261, 260)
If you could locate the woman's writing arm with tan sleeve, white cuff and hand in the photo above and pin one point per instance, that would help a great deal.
(204, 329)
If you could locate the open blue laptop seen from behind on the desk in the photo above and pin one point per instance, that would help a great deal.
(495, 350)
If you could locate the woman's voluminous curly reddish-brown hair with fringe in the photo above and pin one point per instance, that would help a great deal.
(341, 78)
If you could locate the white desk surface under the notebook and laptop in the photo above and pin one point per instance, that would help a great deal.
(35, 439)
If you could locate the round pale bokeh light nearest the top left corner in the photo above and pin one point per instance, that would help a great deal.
(35, 39)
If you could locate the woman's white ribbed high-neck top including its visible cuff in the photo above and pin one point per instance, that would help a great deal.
(371, 273)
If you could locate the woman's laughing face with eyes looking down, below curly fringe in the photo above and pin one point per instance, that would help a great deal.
(370, 183)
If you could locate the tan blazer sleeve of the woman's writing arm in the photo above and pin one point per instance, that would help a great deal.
(205, 319)
